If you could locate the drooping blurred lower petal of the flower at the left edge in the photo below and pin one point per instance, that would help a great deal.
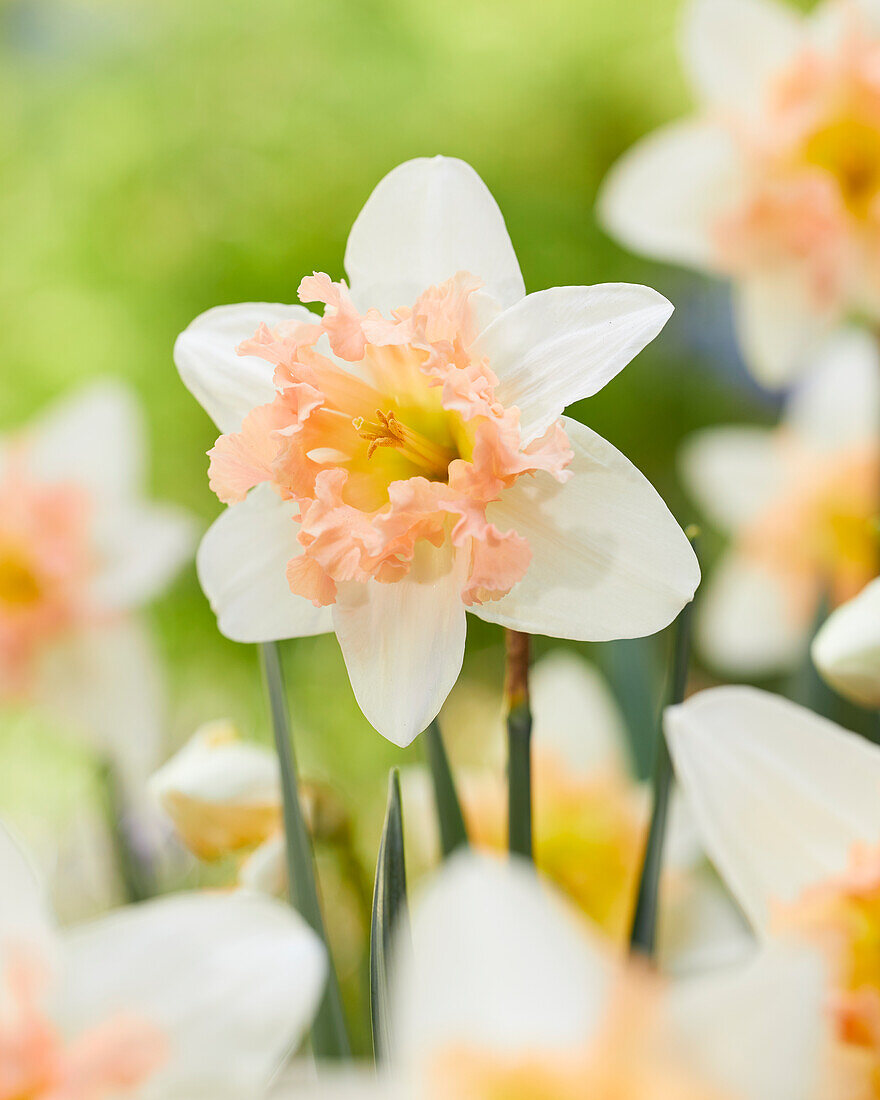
(107, 684)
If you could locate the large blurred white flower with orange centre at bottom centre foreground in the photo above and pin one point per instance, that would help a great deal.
(507, 994)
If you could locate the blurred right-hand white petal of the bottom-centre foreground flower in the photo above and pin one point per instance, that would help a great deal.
(760, 1030)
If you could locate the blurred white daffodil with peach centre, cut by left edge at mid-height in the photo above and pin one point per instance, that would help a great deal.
(81, 548)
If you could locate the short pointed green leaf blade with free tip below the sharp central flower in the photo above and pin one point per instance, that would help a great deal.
(390, 918)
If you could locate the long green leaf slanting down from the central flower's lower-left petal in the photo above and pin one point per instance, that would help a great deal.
(329, 1035)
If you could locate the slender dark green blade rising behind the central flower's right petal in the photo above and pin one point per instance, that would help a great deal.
(644, 931)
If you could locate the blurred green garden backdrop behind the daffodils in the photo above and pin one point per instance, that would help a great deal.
(161, 158)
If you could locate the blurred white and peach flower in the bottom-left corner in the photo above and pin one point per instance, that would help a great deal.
(192, 996)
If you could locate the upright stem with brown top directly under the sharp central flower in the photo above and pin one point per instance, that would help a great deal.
(519, 745)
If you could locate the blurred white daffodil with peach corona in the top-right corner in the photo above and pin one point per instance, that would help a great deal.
(775, 181)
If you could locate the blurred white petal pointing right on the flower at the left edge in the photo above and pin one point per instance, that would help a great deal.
(140, 548)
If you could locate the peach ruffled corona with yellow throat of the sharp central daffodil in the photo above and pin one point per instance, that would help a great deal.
(402, 442)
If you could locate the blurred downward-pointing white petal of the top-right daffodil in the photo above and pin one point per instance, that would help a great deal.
(778, 326)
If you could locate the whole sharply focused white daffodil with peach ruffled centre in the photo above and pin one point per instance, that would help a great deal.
(415, 456)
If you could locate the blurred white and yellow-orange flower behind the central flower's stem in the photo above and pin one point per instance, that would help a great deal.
(590, 817)
